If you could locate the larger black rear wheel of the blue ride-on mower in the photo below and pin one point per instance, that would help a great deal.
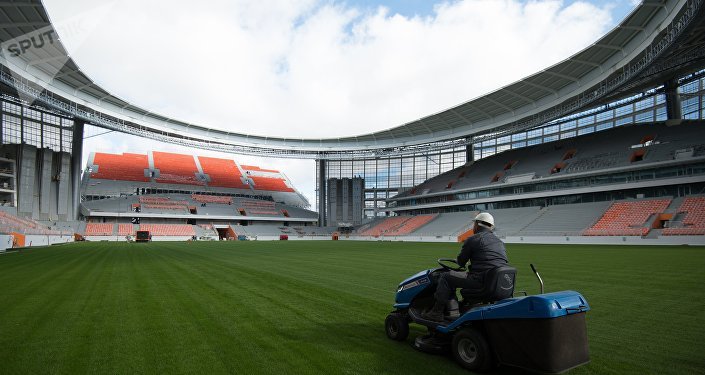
(471, 350)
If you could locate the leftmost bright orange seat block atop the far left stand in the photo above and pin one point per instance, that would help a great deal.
(126, 167)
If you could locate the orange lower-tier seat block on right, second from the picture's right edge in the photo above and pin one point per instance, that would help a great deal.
(627, 218)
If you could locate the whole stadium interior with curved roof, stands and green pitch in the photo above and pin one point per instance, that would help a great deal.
(593, 169)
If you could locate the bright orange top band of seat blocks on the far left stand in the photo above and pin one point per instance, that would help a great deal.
(183, 170)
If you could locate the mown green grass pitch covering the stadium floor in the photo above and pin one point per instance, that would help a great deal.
(315, 307)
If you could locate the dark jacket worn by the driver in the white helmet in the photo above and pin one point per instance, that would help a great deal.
(484, 251)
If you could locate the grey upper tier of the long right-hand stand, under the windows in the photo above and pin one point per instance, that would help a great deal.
(591, 152)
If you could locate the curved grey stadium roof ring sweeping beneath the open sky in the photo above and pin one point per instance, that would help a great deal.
(657, 41)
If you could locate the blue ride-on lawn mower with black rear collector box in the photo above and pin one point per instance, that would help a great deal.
(543, 333)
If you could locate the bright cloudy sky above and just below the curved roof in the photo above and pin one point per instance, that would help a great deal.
(315, 68)
